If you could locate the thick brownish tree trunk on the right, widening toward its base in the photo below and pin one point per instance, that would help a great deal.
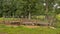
(47, 16)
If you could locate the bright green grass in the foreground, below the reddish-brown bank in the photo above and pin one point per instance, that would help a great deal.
(24, 30)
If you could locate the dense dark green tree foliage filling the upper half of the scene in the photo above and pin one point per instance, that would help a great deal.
(24, 7)
